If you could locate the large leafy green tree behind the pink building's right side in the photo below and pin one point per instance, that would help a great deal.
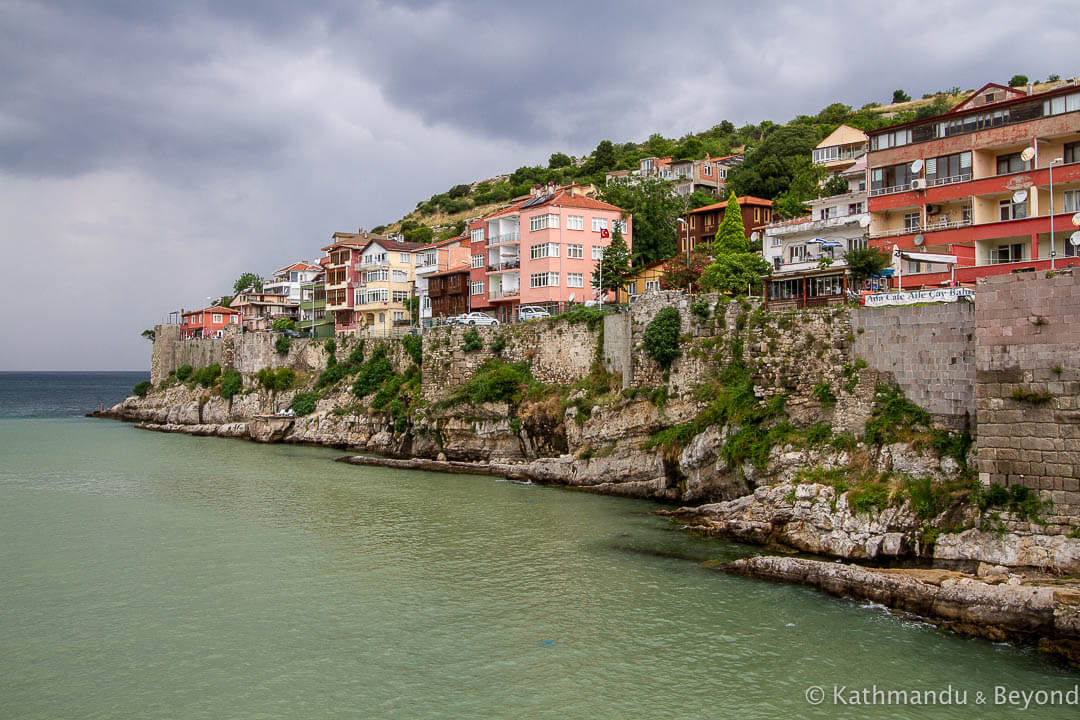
(656, 210)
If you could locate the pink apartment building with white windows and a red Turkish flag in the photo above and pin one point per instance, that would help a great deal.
(543, 251)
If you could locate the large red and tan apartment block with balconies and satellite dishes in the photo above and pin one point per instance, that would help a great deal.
(968, 194)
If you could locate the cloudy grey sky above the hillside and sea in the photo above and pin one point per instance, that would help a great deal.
(151, 153)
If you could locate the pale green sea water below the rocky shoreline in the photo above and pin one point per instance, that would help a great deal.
(152, 576)
